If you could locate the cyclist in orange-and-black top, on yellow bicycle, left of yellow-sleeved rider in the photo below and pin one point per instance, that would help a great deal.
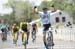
(15, 30)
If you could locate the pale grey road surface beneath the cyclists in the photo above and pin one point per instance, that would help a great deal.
(38, 44)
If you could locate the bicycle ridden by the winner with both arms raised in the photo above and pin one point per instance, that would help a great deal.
(49, 39)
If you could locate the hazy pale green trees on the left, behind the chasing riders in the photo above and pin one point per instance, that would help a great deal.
(25, 7)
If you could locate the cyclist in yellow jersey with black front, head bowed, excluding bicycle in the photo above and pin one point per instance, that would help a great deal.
(24, 27)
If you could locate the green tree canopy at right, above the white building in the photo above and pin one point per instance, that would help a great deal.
(63, 5)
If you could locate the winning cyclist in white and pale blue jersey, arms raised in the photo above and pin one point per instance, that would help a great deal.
(45, 17)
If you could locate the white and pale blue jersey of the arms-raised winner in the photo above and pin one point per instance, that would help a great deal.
(45, 17)
